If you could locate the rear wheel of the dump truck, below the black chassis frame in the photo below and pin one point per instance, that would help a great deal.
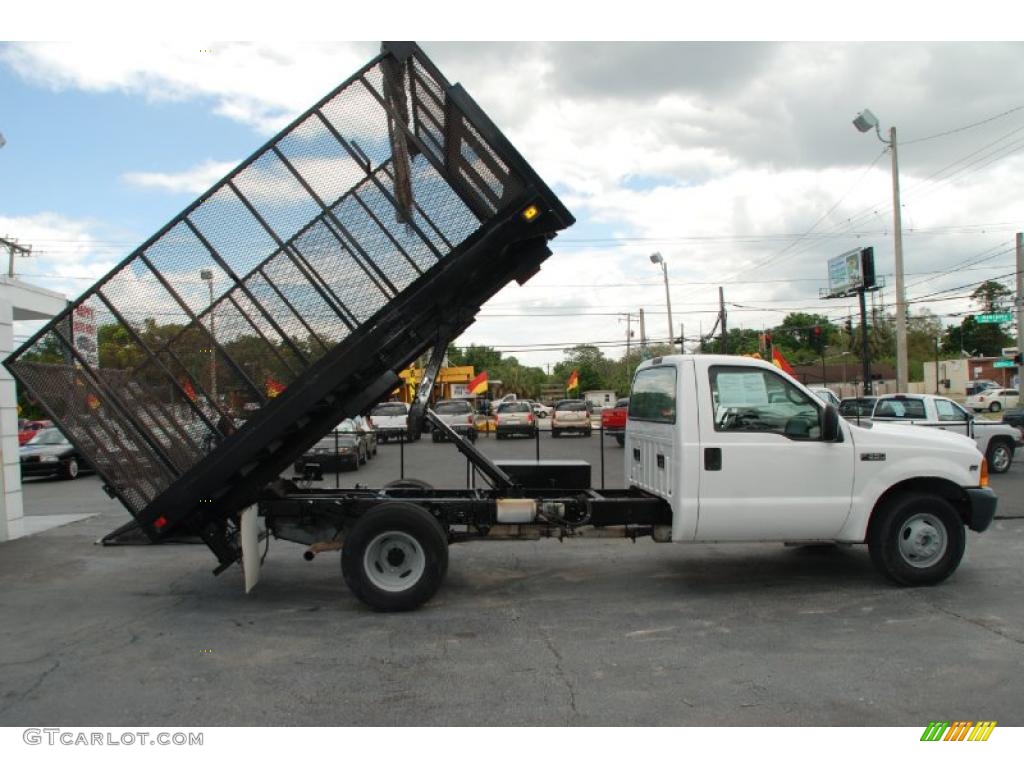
(385, 540)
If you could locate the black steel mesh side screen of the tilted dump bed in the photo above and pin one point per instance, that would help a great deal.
(280, 264)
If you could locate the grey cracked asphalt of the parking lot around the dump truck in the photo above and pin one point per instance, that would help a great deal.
(581, 633)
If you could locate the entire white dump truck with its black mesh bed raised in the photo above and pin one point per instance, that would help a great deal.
(367, 235)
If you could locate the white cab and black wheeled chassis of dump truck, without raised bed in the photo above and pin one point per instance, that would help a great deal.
(718, 449)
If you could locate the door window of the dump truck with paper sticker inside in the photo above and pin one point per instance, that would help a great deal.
(756, 401)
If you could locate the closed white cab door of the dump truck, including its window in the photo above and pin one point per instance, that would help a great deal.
(766, 475)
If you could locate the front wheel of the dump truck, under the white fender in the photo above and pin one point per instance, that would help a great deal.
(917, 540)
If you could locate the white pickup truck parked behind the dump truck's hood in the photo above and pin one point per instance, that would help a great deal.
(997, 442)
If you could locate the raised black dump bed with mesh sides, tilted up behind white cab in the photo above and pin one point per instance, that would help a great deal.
(289, 296)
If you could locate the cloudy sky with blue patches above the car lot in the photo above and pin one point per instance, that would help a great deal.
(737, 161)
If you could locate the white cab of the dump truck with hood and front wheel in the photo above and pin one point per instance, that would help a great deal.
(745, 453)
